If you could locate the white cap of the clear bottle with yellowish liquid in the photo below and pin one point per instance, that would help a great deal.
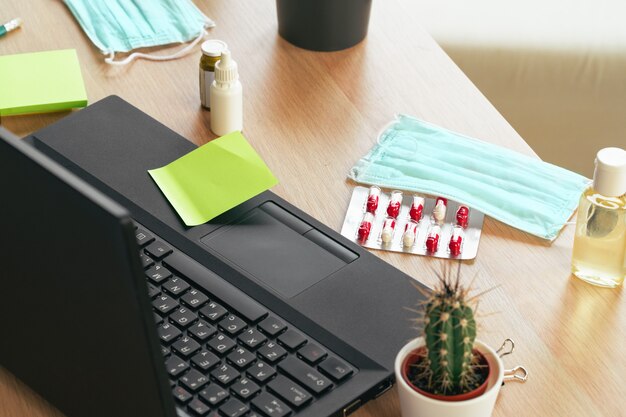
(609, 177)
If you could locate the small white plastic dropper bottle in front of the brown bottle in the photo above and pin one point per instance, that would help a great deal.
(226, 97)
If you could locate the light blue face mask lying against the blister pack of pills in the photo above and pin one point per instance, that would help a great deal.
(523, 192)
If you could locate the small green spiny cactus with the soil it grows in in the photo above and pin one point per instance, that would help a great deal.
(449, 366)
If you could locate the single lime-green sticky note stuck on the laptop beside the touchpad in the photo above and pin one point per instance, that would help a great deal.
(213, 178)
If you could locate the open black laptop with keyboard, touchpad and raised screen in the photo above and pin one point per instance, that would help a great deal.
(113, 307)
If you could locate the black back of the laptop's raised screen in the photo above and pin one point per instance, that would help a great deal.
(76, 321)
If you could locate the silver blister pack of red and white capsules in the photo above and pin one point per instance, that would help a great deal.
(404, 222)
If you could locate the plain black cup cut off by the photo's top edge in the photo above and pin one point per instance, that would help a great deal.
(323, 25)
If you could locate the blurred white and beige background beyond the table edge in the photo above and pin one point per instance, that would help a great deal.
(556, 69)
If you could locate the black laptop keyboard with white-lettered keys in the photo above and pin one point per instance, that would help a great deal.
(226, 355)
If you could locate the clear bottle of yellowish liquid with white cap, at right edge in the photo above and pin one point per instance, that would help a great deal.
(600, 240)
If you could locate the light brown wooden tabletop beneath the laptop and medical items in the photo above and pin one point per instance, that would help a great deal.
(311, 116)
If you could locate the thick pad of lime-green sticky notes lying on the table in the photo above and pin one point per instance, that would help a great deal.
(41, 82)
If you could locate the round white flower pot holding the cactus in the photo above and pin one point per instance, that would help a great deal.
(414, 404)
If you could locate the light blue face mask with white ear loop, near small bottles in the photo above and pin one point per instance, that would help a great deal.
(123, 25)
